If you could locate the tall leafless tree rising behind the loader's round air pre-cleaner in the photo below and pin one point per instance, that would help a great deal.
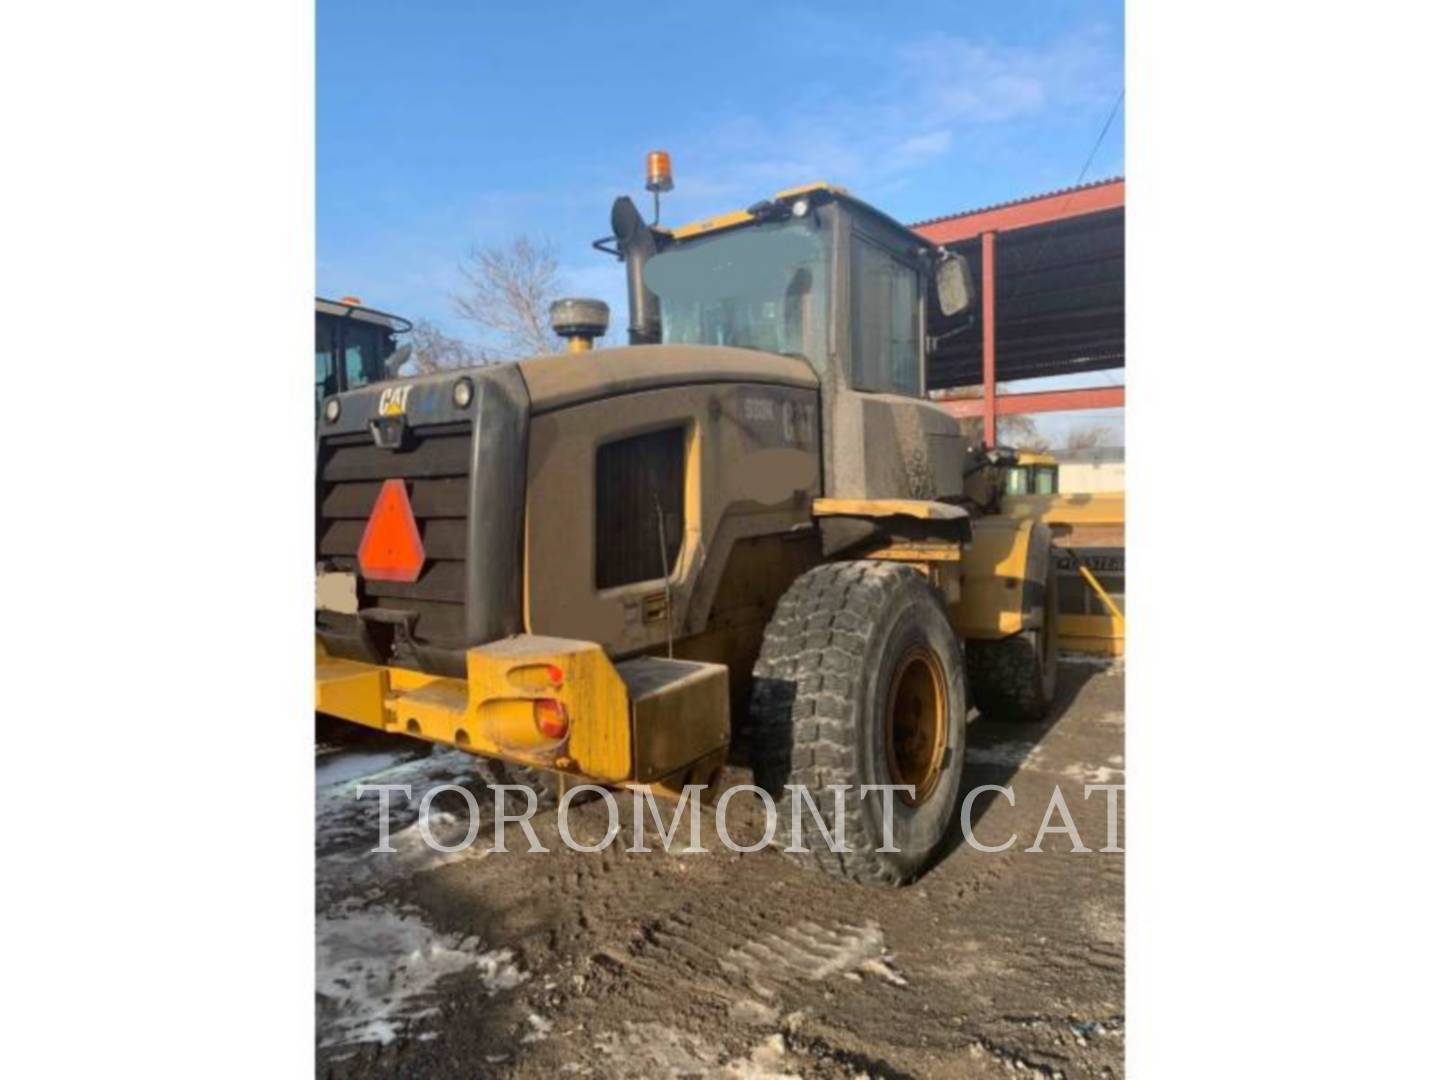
(508, 293)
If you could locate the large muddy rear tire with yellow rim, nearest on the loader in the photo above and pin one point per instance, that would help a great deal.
(862, 682)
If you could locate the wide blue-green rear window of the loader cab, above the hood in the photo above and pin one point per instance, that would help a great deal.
(761, 287)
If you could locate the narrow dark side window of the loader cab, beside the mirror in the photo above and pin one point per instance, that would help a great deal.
(885, 333)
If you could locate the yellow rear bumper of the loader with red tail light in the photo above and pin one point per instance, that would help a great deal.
(636, 722)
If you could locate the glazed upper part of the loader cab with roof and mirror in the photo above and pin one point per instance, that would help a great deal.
(811, 273)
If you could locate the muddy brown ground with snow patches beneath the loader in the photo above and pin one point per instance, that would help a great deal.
(725, 964)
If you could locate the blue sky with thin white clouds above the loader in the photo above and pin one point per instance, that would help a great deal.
(447, 125)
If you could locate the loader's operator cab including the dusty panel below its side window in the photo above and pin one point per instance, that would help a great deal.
(814, 273)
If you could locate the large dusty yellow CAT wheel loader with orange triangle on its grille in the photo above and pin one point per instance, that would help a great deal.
(747, 536)
